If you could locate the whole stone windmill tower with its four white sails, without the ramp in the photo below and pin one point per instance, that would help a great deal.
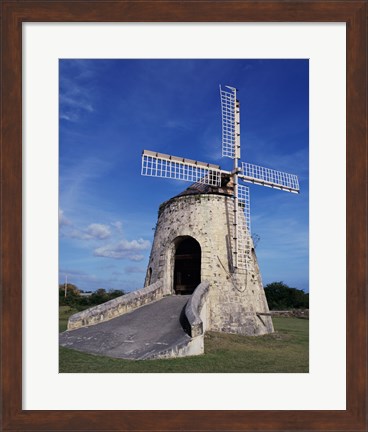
(203, 234)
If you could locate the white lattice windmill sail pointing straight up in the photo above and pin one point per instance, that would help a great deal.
(228, 110)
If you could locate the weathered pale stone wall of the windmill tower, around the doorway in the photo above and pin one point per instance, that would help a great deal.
(233, 302)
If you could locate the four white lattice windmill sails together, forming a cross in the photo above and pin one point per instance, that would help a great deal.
(173, 167)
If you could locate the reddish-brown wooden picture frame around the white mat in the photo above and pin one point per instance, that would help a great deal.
(14, 13)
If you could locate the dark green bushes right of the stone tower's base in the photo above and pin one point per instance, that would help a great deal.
(282, 297)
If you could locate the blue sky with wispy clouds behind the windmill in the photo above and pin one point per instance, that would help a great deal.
(110, 110)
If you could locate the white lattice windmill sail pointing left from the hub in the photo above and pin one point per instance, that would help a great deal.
(178, 168)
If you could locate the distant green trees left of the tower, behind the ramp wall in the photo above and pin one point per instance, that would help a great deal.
(80, 300)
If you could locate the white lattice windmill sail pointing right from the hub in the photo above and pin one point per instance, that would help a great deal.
(269, 177)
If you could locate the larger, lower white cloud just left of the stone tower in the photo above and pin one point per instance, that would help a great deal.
(124, 249)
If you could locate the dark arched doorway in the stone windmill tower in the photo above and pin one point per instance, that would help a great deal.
(187, 268)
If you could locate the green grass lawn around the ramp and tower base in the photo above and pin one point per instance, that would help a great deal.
(284, 351)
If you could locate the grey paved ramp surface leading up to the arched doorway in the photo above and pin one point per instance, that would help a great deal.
(144, 333)
